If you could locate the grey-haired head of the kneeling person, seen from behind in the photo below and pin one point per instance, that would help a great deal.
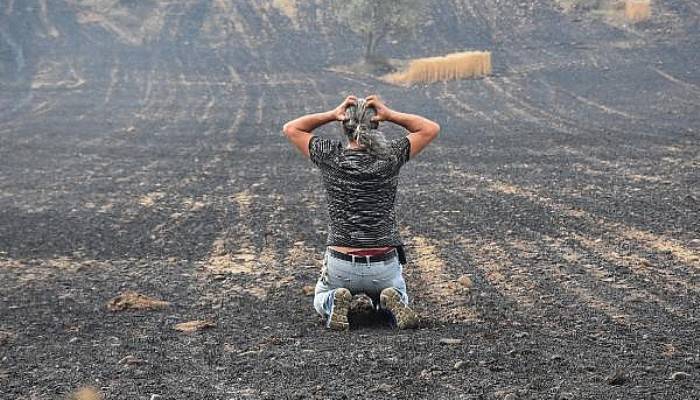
(360, 128)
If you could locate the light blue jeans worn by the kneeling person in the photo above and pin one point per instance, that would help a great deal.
(358, 277)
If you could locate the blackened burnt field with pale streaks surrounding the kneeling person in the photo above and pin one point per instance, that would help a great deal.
(141, 149)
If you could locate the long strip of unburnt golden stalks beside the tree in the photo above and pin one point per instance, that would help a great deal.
(469, 64)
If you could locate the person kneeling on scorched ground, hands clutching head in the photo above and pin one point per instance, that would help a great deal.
(364, 251)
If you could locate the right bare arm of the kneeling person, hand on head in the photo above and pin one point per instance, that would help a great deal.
(421, 130)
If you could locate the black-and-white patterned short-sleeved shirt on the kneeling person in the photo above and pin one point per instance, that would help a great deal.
(360, 191)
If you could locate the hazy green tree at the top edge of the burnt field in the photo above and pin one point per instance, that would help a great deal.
(376, 20)
